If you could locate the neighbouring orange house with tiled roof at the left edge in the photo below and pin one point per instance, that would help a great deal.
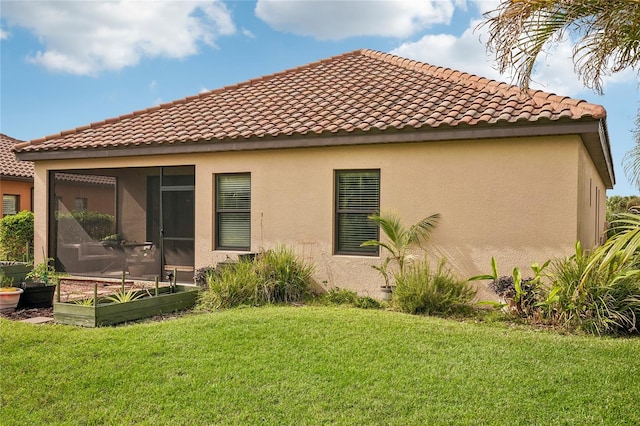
(16, 179)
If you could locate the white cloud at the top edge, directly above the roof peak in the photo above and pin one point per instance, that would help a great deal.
(335, 20)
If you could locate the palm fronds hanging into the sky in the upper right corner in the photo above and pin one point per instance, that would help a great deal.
(607, 34)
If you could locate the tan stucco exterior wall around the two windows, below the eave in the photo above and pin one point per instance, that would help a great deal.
(513, 199)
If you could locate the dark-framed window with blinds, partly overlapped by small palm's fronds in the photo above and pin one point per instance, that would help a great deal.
(357, 197)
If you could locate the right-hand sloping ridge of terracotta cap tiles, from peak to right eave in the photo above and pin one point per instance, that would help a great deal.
(539, 96)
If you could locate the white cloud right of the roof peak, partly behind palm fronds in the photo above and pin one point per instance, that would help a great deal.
(554, 71)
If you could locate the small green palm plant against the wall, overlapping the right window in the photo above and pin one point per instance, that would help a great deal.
(400, 240)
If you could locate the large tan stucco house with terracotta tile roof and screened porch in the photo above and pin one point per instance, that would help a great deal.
(303, 156)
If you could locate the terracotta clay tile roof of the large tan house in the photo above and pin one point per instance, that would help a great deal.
(352, 93)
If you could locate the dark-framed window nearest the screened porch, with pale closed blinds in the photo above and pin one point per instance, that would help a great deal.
(233, 211)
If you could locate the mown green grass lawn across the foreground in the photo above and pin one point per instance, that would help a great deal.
(314, 365)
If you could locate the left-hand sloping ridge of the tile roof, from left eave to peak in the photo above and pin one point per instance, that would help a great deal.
(185, 99)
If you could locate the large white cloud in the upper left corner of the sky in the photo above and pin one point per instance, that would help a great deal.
(91, 36)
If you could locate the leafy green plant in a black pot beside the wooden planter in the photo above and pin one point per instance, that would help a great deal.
(40, 286)
